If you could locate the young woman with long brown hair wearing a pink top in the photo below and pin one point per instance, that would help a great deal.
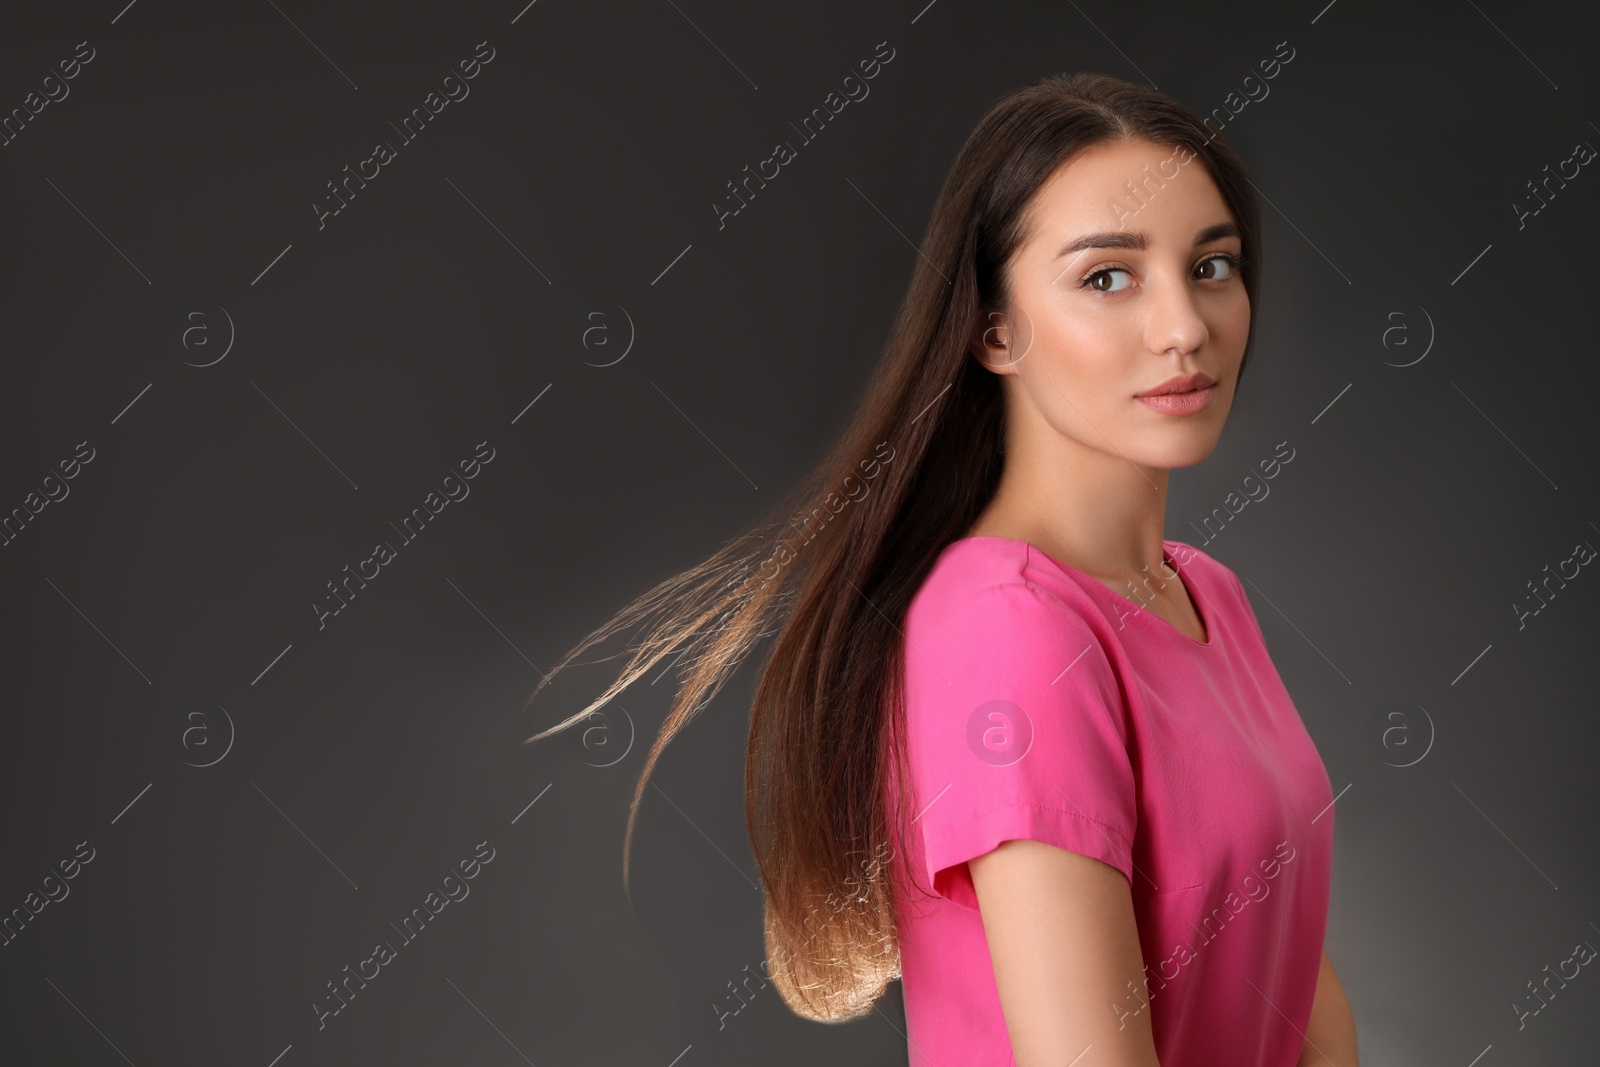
(1010, 745)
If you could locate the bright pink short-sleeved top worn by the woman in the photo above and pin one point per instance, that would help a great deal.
(1041, 705)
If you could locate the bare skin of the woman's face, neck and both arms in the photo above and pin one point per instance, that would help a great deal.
(1086, 481)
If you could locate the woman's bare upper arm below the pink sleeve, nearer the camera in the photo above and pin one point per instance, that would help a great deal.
(1066, 956)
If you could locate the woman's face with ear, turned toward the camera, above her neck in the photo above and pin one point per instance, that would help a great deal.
(1114, 295)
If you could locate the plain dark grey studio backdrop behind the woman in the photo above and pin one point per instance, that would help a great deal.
(161, 613)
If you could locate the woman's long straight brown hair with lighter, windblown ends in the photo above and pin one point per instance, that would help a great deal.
(833, 570)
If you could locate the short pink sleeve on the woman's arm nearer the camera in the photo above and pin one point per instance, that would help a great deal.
(1015, 730)
